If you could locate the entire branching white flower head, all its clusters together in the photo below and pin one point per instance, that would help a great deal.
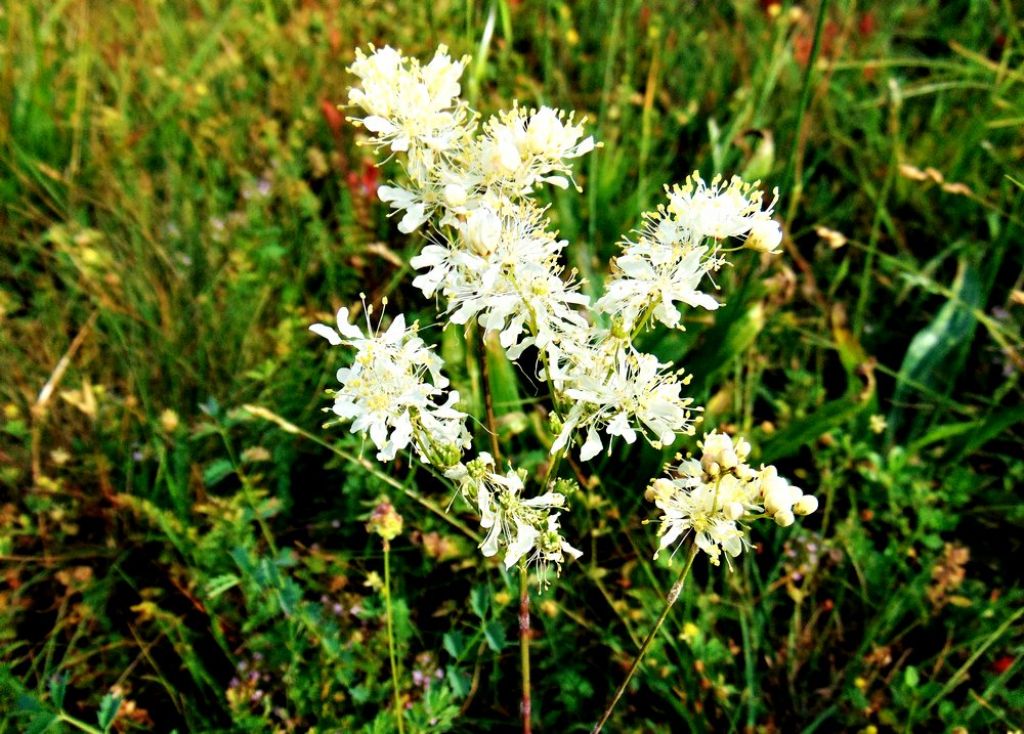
(492, 262)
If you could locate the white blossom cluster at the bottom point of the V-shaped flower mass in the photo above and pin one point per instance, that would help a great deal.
(622, 393)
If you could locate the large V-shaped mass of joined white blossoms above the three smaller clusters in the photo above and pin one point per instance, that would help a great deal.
(496, 264)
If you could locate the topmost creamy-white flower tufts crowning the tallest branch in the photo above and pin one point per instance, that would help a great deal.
(415, 111)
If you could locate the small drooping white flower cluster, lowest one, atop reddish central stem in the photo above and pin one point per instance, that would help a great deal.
(524, 528)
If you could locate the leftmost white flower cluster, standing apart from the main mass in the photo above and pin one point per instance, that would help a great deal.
(395, 392)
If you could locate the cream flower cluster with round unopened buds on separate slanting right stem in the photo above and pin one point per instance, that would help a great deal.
(719, 495)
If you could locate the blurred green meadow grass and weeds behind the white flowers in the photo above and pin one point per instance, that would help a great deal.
(181, 197)
